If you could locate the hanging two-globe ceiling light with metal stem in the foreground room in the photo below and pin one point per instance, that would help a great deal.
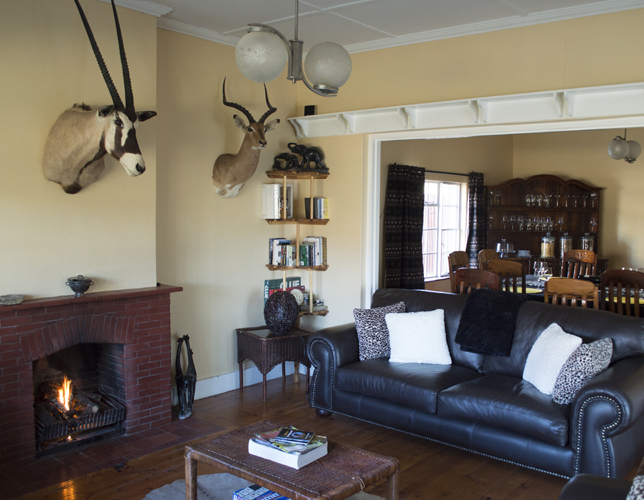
(262, 53)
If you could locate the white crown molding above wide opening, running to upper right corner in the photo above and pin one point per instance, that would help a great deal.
(606, 7)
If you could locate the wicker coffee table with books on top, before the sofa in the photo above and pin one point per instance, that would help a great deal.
(344, 471)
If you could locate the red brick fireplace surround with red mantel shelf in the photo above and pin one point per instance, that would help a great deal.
(138, 320)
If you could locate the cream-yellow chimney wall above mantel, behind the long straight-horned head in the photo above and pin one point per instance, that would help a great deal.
(107, 231)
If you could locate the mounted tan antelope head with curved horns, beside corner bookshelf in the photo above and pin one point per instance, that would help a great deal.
(231, 172)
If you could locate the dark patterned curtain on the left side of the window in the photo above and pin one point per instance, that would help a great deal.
(404, 202)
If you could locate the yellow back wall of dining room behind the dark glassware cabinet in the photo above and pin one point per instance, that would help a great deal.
(583, 156)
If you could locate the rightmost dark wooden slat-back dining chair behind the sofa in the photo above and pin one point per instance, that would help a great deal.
(617, 286)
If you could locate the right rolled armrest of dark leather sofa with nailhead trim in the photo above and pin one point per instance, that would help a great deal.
(609, 405)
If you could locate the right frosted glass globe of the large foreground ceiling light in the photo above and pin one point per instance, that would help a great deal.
(327, 65)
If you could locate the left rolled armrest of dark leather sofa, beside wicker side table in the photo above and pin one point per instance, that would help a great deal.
(329, 349)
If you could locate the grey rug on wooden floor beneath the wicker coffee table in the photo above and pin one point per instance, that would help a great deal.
(218, 487)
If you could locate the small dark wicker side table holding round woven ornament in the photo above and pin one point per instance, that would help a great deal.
(267, 350)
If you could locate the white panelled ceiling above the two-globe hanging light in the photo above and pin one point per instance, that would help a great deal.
(362, 25)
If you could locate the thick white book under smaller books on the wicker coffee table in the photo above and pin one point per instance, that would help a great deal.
(293, 455)
